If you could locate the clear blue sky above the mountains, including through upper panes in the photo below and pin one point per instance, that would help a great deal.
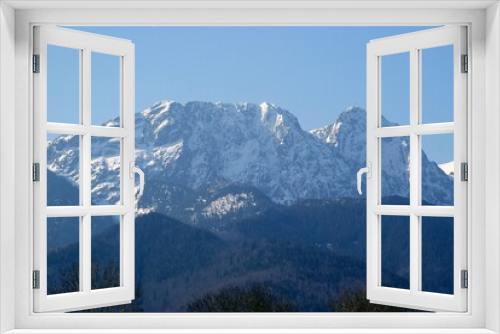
(314, 72)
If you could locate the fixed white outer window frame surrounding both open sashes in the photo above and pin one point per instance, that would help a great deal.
(484, 213)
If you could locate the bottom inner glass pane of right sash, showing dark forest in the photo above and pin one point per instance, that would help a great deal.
(395, 251)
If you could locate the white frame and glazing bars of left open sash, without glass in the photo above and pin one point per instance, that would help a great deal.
(85, 296)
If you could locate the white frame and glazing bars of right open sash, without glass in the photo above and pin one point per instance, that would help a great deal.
(415, 297)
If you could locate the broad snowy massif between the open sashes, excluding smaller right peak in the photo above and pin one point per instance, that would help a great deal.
(262, 145)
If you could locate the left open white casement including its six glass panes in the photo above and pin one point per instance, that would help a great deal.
(66, 56)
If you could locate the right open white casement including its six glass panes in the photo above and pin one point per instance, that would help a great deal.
(415, 220)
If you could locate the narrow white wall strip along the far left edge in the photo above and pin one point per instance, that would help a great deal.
(7, 161)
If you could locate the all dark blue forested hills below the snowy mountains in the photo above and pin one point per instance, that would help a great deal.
(298, 252)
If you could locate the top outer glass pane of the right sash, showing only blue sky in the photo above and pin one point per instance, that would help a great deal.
(437, 84)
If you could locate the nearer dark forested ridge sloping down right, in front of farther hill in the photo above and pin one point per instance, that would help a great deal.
(172, 270)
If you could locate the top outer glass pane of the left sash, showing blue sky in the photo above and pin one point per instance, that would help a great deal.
(63, 85)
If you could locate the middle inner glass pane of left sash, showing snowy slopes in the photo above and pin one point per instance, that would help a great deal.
(105, 170)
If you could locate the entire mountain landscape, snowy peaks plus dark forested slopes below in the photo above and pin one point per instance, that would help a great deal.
(238, 194)
